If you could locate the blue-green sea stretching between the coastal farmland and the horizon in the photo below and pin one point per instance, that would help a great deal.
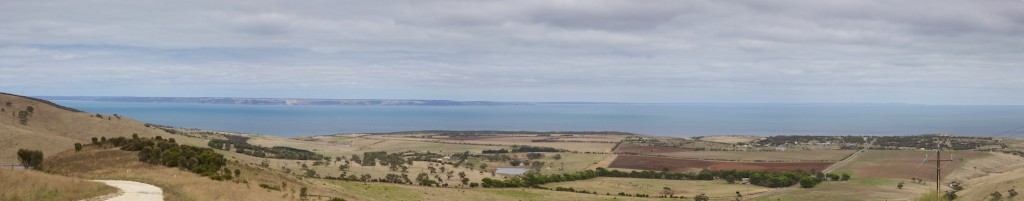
(661, 119)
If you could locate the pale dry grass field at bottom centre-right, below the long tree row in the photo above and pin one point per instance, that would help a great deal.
(656, 187)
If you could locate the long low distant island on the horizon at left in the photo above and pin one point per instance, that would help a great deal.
(283, 102)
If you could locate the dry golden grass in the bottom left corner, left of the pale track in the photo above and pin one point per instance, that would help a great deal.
(35, 186)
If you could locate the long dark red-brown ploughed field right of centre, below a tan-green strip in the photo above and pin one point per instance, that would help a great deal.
(658, 164)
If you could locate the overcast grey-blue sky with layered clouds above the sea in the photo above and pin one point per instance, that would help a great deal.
(911, 52)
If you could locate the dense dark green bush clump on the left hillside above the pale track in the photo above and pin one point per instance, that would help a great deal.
(158, 151)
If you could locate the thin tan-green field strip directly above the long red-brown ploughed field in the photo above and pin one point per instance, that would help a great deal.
(793, 156)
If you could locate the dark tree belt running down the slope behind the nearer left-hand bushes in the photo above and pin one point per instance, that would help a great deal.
(240, 146)
